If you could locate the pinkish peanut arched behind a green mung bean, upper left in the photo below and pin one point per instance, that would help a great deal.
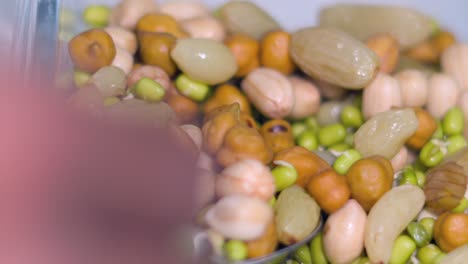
(153, 72)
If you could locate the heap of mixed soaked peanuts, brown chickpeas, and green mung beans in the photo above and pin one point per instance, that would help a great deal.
(360, 121)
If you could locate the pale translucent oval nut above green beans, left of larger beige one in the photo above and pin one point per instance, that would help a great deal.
(204, 60)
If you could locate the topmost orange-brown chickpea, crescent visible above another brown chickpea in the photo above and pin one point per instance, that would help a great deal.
(160, 23)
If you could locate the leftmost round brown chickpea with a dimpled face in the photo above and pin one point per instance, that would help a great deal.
(92, 50)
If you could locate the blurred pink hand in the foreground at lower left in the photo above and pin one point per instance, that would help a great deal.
(74, 189)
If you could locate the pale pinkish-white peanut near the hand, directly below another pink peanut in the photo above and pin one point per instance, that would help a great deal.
(240, 217)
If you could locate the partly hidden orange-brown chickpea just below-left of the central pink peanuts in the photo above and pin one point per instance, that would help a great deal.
(227, 94)
